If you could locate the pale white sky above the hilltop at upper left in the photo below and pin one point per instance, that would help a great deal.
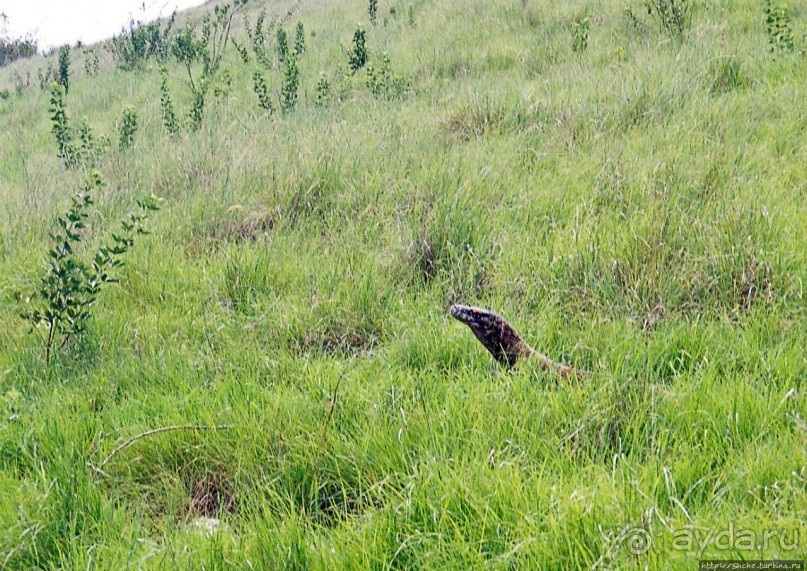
(57, 22)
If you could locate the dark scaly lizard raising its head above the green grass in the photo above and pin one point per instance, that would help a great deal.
(503, 342)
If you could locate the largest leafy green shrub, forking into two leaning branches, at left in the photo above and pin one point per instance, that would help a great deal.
(68, 291)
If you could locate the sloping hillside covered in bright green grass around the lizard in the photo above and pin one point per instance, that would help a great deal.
(633, 200)
